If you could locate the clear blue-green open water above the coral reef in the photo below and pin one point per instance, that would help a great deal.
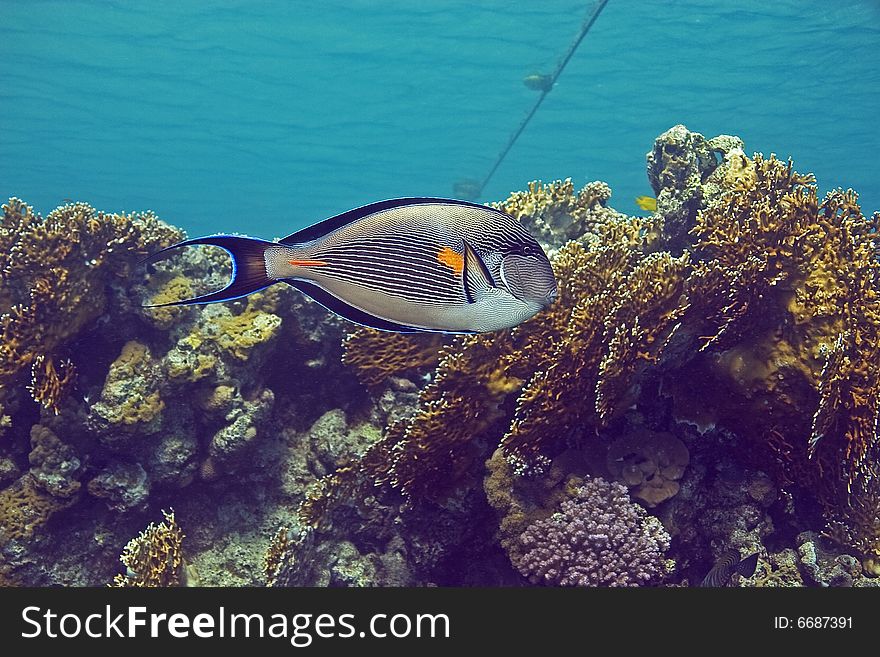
(263, 117)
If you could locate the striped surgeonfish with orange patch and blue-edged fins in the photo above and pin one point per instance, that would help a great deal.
(407, 265)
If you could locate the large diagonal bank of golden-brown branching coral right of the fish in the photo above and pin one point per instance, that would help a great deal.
(773, 305)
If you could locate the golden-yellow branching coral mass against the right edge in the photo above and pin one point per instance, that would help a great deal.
(791, 292)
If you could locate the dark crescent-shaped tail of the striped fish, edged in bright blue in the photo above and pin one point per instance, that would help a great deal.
(249, 272)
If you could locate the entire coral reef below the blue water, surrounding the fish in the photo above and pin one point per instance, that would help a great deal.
(717, 359)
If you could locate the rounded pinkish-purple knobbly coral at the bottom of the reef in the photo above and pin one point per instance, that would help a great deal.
(598, 538)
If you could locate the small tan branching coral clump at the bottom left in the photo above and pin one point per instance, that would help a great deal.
(154, 558)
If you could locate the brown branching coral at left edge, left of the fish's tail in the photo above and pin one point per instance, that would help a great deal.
(53, 276)
